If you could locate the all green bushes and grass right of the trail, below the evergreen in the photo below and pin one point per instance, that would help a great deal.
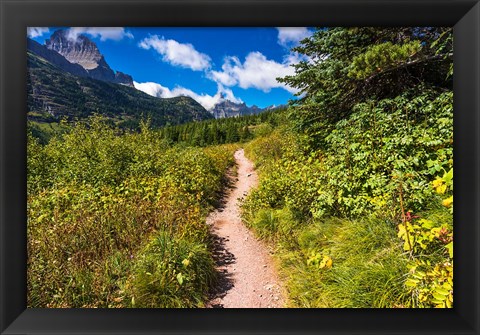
(376, 174)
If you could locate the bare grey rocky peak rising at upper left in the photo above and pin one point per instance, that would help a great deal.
(80, 50)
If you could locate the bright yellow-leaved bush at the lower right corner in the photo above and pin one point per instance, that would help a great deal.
(429, 240)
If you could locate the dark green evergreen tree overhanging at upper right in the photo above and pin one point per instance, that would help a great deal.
(346, 66)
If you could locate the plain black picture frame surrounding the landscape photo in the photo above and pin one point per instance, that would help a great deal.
(15, 16)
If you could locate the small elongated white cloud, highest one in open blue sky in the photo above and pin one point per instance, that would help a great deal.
(175, 53)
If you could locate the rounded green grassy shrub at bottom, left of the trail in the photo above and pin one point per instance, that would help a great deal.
(172, 272)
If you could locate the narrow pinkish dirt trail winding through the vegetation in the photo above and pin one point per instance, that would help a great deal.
(248, 276)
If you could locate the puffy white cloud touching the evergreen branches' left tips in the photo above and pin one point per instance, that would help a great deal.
(255, 72)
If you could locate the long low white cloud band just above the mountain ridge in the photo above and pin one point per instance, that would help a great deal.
(206, 100)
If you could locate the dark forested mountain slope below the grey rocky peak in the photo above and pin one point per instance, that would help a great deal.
(55, 94)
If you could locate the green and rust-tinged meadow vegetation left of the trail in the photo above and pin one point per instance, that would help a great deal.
(118, 220)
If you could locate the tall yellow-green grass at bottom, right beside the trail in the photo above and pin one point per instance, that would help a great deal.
(368, 265)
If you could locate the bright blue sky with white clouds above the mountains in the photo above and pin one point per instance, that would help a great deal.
(204, 63)
